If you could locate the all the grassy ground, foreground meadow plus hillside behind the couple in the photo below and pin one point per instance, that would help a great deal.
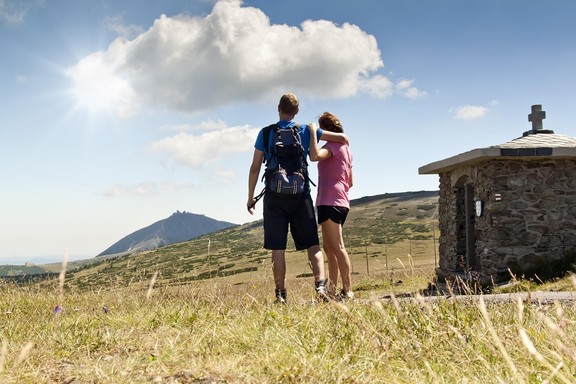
(189, 313)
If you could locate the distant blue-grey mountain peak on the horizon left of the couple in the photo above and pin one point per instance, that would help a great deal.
(181, 226)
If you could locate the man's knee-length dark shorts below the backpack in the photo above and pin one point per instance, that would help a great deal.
(289, 212)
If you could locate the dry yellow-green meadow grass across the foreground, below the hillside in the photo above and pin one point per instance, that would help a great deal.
(217, 332)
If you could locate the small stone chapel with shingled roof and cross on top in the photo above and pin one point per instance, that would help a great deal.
(508, 209)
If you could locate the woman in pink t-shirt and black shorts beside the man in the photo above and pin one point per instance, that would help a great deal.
(332, 202)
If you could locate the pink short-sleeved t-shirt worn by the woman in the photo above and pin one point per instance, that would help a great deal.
(334, 176)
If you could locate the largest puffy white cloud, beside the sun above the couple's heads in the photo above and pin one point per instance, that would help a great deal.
(198, 63)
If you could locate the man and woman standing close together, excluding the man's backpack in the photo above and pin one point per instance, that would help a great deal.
(296, 212)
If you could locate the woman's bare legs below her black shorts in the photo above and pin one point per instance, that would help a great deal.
(332, 238)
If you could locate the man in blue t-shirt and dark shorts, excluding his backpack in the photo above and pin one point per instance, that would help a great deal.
(289, 211)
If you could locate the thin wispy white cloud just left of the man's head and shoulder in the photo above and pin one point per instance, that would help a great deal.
(197, 150)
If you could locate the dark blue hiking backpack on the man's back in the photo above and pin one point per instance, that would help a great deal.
(286, 168)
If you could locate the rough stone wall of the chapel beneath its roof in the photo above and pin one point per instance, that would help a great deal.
(528, 224)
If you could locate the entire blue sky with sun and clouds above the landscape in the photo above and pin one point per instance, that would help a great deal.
(114, 114)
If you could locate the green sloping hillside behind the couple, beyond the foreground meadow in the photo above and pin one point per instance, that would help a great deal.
(384, 234)
